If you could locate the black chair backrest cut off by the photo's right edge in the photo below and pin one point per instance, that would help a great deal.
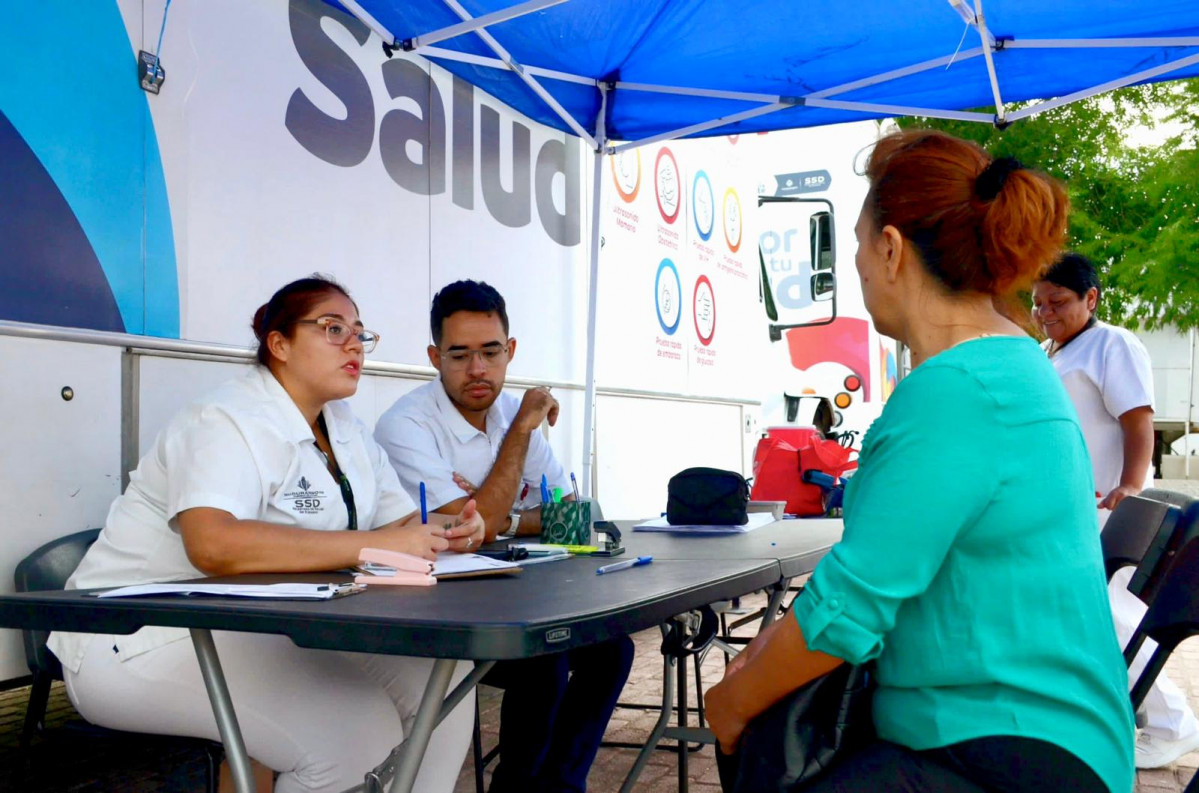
(1174, 611)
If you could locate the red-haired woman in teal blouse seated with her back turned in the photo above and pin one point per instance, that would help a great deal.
(969, 568)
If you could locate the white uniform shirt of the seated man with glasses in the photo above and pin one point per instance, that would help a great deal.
(427, 441)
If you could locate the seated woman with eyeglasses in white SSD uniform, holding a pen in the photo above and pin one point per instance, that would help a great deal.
(272, 473)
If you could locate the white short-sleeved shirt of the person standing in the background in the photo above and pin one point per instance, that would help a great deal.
(1107, 373)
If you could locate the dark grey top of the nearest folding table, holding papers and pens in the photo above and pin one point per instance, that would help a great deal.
(550, 608)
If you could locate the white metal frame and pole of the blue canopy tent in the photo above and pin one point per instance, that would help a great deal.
(766, 104)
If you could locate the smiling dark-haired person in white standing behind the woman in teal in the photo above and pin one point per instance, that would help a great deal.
(1108, 375)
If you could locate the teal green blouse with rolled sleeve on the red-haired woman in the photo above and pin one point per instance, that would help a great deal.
(971, 566)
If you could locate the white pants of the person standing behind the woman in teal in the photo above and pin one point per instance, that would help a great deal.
(1166, 708)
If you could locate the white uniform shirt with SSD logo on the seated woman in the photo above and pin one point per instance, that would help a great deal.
(245, 449)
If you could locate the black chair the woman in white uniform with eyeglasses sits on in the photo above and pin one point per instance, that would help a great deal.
(49, 568)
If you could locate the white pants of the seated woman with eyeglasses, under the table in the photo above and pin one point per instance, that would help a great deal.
(320, 718)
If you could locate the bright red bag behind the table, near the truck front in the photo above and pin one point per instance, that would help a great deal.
(779, 467)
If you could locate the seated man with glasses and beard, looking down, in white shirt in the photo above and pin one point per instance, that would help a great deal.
(465, 438)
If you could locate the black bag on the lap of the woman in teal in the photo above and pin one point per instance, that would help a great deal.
(796, 740)
